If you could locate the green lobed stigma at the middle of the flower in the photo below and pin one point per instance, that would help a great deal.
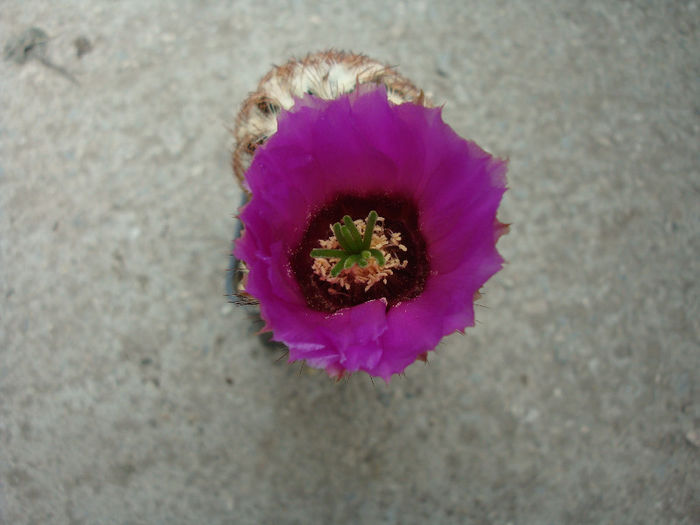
(355, 248)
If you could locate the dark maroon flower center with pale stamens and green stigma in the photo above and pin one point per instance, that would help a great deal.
(362, 260)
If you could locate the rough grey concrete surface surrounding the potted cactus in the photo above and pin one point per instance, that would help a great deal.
(131, 392)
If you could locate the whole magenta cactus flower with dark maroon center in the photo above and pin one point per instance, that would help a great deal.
(436, 196)
